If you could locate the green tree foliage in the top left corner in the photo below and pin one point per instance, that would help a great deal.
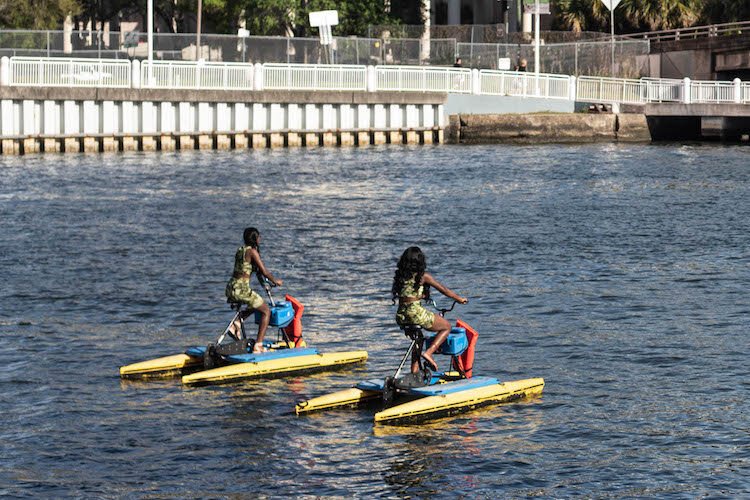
(36, 14)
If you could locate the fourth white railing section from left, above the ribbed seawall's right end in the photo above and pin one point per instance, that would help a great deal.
(424, 79)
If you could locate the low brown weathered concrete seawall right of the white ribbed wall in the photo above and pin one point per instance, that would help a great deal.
(547, 127)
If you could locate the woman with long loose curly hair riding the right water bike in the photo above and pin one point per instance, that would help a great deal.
(410, 286)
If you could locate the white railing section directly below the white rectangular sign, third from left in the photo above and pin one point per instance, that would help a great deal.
(314, 77)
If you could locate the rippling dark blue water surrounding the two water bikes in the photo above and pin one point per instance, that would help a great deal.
(617, 273)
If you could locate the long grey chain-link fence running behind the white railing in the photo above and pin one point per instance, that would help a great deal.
(585, 56)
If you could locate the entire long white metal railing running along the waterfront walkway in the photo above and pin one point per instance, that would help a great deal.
(51, 72)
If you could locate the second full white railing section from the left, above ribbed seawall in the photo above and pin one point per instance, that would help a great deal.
(191, 75)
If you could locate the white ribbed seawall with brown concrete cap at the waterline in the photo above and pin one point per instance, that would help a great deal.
(81, 119)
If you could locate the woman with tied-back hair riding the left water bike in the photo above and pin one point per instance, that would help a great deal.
(246, 260)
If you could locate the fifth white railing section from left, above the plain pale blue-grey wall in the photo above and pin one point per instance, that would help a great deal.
(514, 83)
